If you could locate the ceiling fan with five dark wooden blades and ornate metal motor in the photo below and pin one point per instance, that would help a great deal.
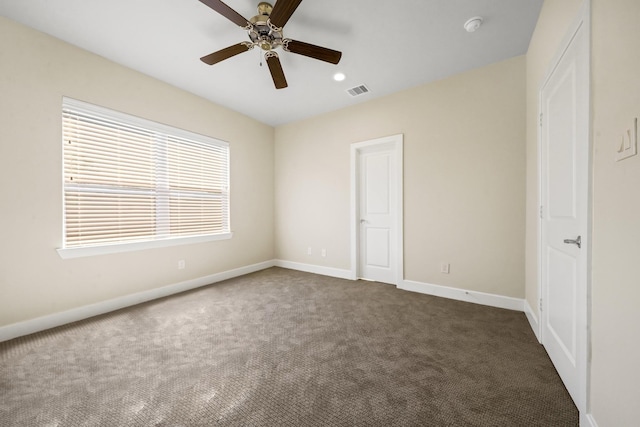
(265, 31)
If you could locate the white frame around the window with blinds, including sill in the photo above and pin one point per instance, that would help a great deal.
(148, 243)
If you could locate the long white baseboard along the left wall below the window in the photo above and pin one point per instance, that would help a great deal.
(80, 313)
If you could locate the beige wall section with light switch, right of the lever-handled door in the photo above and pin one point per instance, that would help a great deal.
(616, 215)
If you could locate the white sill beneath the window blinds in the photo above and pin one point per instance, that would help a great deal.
(85, 251)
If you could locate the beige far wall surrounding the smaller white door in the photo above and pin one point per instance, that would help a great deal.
(464, 180)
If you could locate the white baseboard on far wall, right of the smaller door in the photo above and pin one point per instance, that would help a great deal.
(492, 300)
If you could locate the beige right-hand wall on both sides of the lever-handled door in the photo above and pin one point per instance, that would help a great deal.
(615, 290)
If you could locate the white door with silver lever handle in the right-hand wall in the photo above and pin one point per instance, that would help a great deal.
(564, 104)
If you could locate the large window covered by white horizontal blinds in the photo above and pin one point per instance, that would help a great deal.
(129, 180)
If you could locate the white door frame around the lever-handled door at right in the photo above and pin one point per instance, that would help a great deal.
(583, 309)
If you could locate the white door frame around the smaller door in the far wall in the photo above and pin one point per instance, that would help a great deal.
(395, 144)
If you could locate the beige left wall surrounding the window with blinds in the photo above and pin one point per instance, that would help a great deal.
(36, 71)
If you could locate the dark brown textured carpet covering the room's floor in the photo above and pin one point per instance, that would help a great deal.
(286, 348)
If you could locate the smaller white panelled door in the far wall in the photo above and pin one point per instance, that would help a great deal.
(377, 212)
